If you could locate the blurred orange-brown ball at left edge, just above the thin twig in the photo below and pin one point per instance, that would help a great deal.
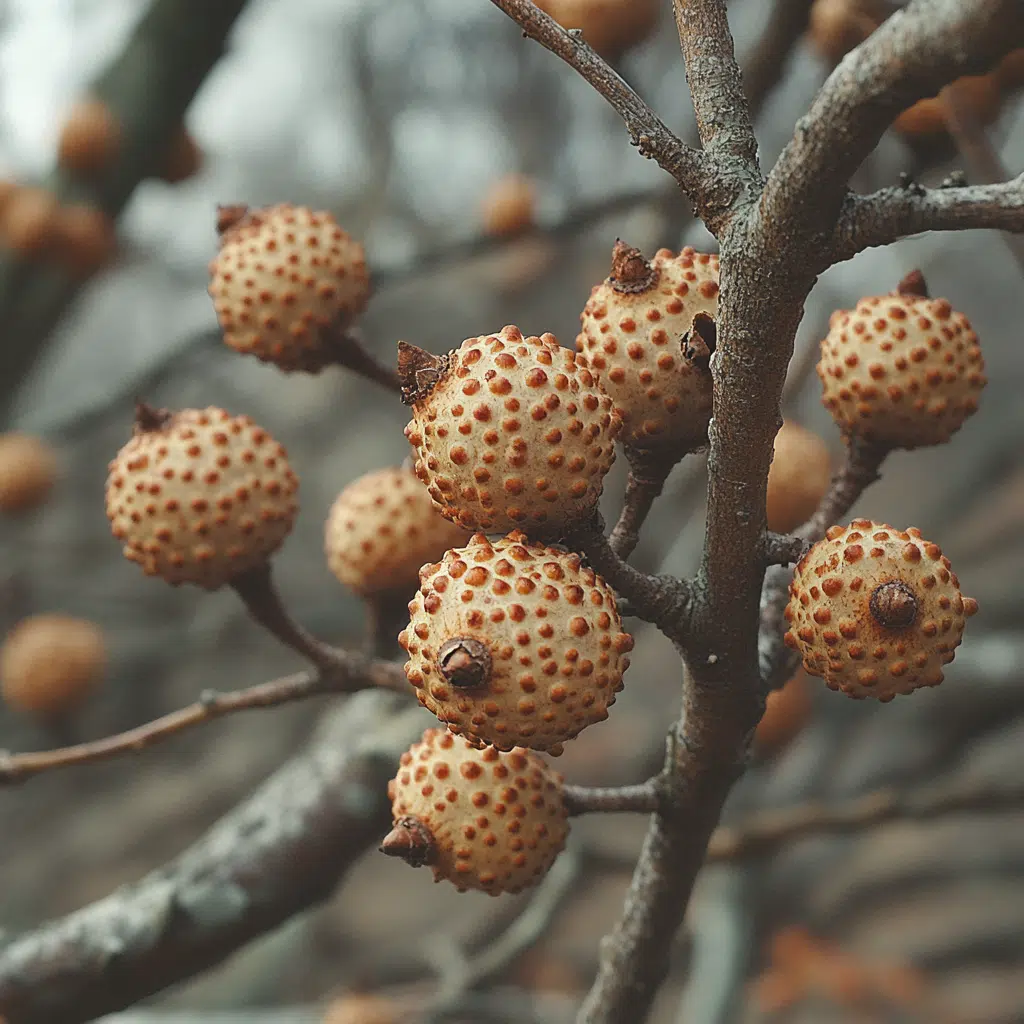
(51, 664)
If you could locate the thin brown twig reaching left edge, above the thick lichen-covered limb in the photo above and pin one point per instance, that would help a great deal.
(350, 673)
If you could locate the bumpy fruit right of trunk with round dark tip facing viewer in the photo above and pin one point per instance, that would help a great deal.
(876, 612)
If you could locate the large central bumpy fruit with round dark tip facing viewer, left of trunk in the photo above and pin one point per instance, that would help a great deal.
(515, 644)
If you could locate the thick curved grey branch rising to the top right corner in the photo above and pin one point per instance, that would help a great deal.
(913, 56)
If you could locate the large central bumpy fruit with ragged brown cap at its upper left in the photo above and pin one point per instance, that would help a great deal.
(508, 432)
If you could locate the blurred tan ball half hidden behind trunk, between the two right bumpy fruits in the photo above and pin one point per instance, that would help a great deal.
(801, 472)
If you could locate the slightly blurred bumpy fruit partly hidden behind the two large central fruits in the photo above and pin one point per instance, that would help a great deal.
(382, 530)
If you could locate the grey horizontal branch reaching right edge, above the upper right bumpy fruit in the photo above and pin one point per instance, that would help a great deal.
(890, 215)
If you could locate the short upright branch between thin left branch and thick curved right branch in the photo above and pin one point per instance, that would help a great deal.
(717, 89)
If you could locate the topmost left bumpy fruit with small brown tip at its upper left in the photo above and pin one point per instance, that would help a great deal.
(286, 283)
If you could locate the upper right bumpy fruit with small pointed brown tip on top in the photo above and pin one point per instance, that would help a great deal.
(902, 370)
